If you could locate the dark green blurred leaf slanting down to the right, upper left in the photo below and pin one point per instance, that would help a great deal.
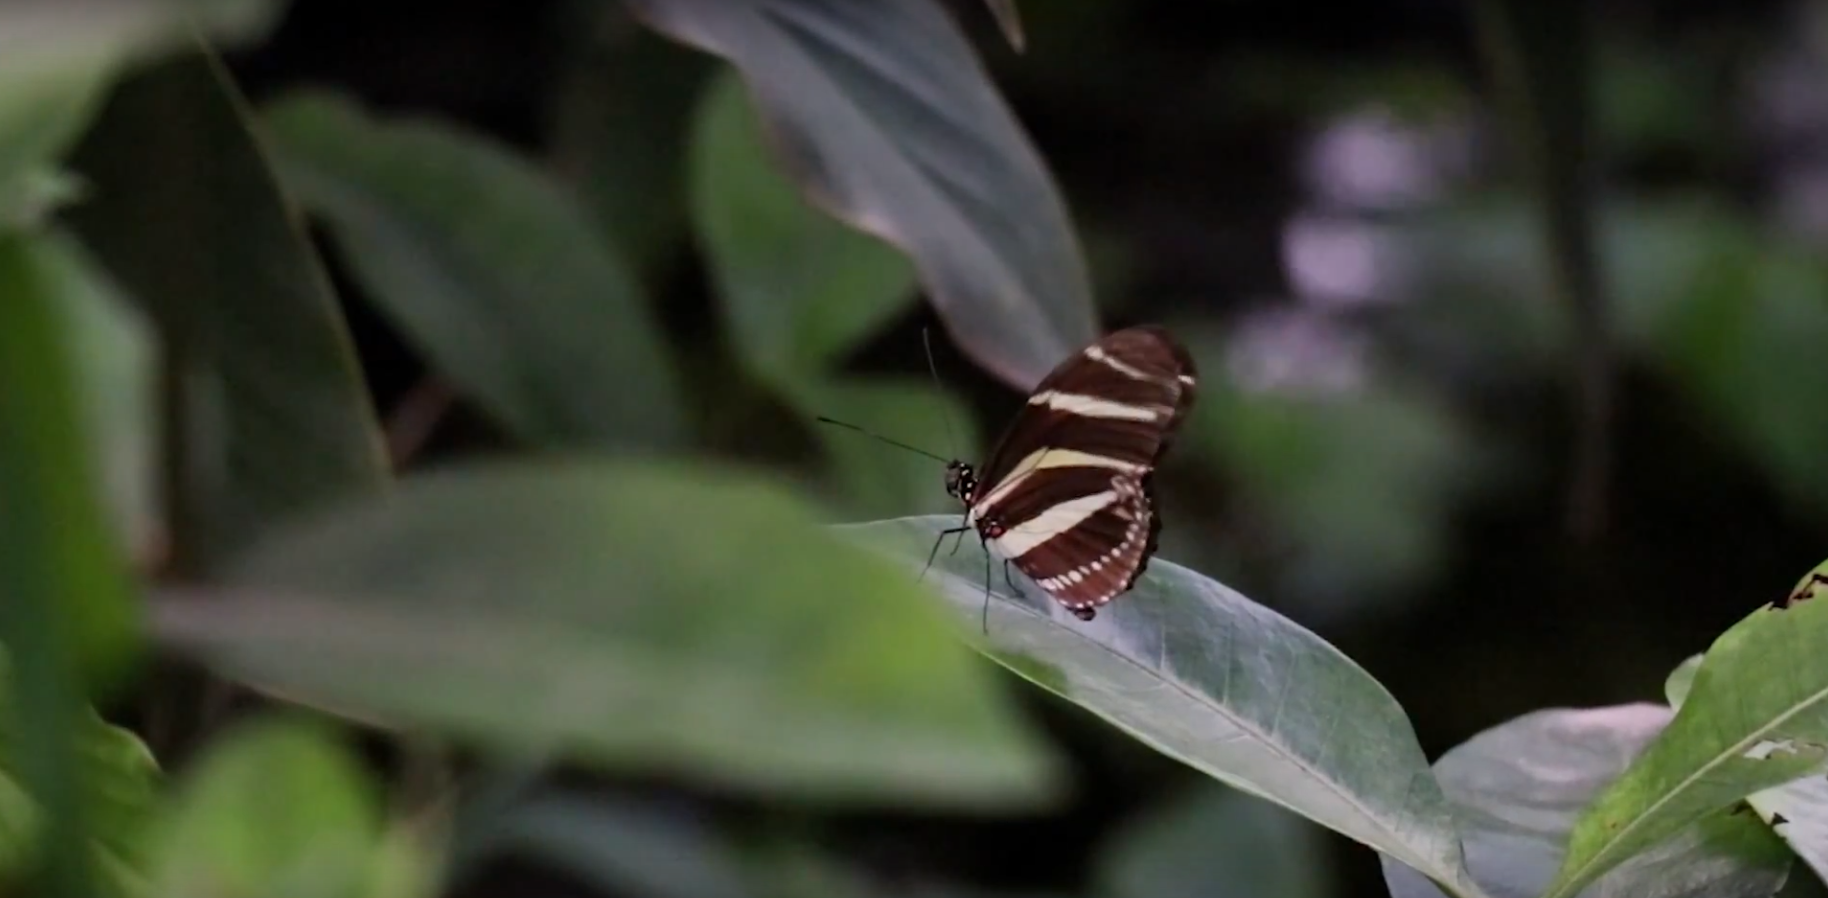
(489, 268)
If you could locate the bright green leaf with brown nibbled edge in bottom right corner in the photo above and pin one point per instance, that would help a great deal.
(1756, 718)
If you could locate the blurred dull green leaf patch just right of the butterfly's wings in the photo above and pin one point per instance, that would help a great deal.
(1361, 484)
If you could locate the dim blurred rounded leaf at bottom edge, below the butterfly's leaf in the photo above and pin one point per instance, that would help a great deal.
(1217, 844)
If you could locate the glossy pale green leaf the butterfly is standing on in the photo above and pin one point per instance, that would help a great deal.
(1220, 683)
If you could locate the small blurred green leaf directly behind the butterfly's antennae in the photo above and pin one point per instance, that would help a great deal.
(873, 476)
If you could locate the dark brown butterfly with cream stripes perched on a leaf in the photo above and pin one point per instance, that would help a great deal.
(1068, 493)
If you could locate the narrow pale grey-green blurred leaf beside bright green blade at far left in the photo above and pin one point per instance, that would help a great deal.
(116, 363)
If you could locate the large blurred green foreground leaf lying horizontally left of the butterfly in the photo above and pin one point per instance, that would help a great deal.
(643, 617)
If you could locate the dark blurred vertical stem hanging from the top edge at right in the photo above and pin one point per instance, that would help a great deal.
(1538, 54)
